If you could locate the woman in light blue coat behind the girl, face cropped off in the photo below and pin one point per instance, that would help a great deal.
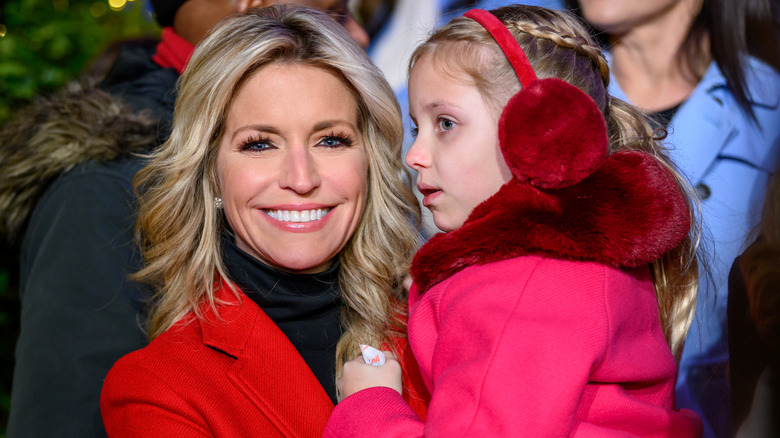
(710, 72)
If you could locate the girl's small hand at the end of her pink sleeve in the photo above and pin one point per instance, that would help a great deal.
(358, 375)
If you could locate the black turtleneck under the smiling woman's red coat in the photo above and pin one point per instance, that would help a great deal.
(306, 307)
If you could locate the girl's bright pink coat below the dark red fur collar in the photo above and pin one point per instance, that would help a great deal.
(532, 346)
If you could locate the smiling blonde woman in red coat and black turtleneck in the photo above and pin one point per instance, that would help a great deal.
(276, 225)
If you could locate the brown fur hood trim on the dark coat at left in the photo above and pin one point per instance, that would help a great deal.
(52, 135)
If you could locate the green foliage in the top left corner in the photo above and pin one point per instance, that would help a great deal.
(48, 42)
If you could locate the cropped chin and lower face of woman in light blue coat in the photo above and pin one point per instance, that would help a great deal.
(619, 17)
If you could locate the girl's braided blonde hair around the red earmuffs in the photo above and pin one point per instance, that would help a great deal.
(558, 45)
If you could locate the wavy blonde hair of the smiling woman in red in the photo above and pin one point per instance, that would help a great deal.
(179, 226)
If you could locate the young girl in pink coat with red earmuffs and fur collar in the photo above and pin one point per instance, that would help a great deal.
(566, 270)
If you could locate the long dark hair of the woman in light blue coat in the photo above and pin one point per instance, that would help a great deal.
(732, 29)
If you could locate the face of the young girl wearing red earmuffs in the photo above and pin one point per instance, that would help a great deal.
(456, 152)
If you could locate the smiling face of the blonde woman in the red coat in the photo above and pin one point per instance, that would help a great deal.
(292, 167)
